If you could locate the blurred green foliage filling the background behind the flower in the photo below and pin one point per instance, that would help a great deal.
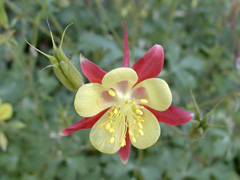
(201, 40)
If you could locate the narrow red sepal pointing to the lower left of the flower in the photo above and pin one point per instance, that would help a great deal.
(83, 124)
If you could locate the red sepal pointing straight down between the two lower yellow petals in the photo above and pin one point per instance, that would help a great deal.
(124, 152)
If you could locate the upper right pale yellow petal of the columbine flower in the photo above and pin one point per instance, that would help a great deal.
(156, 92)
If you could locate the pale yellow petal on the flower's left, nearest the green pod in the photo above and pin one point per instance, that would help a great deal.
(91, 99)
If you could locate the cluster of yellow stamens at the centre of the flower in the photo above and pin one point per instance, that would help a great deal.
(129, 112)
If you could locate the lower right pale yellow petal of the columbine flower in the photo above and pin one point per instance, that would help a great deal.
(149, 134)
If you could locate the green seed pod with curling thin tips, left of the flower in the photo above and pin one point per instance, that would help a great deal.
(65, 71)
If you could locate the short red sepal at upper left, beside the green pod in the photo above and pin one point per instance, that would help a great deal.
(92, 71)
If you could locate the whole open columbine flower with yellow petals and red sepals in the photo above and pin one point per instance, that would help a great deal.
(124, 106)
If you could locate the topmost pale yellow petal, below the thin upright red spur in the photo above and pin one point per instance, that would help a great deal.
(116, 78)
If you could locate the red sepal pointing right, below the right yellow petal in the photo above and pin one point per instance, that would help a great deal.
(172, 116)
